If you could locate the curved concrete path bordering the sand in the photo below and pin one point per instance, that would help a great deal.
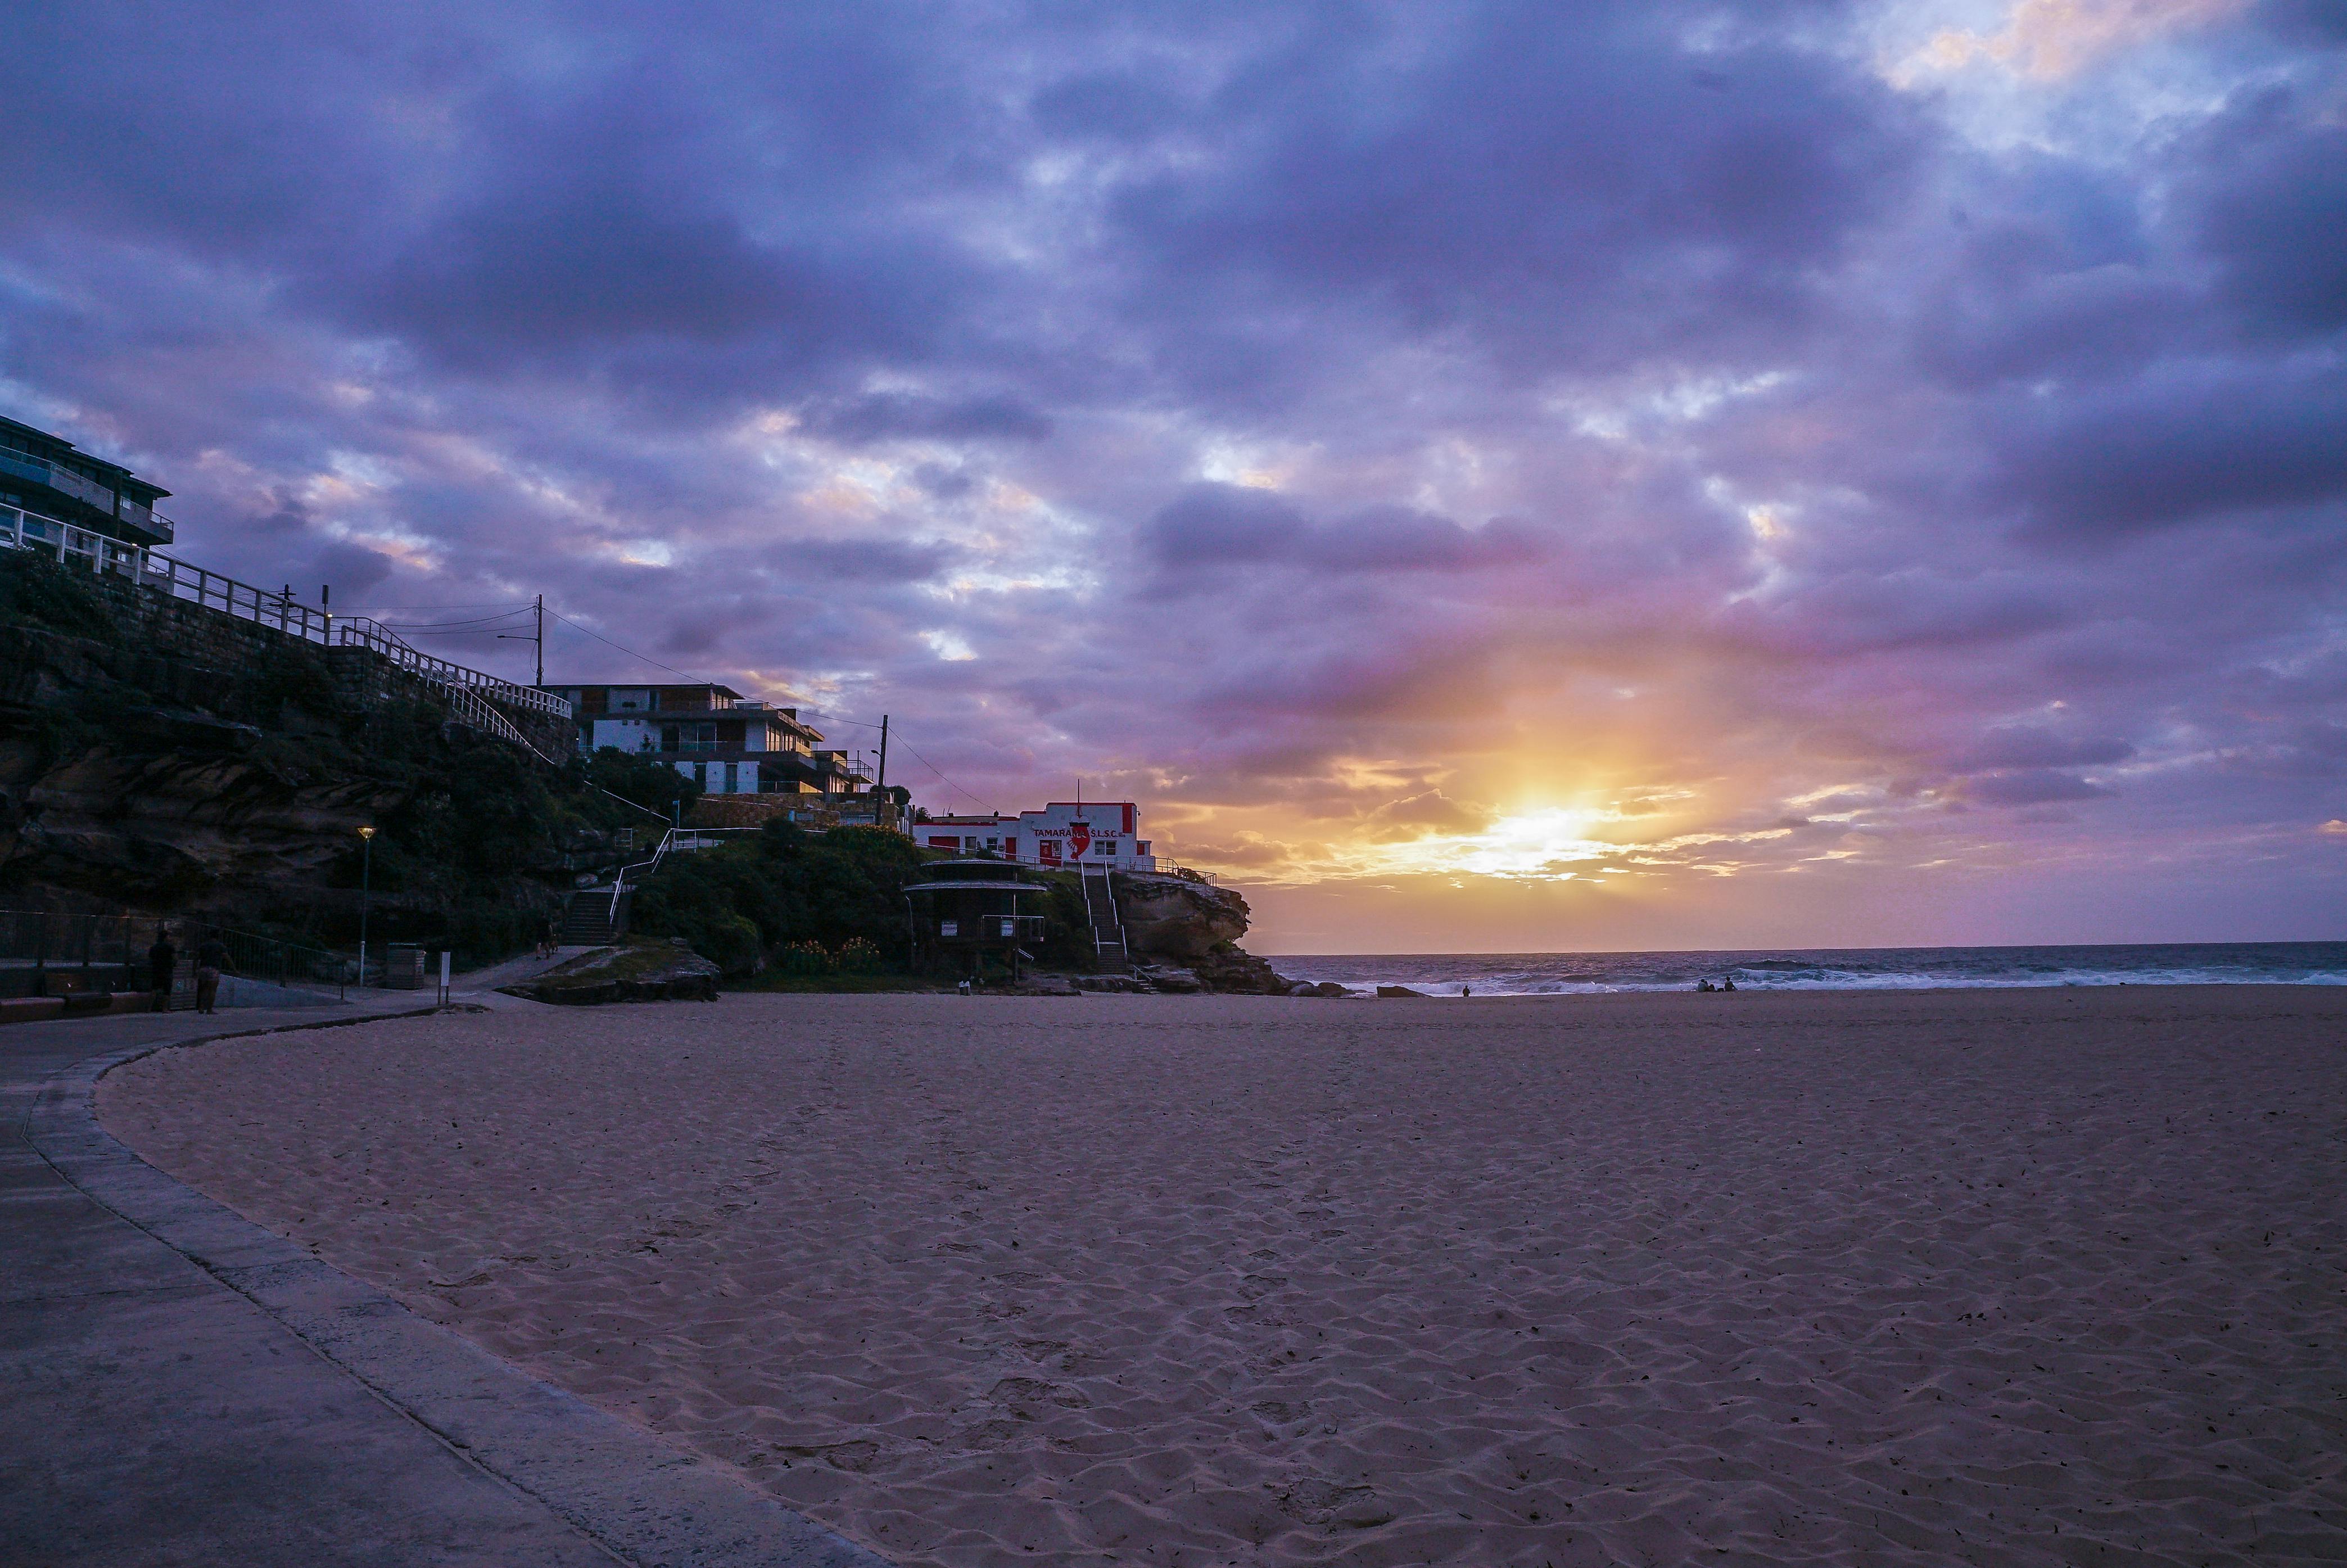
(180, 1386)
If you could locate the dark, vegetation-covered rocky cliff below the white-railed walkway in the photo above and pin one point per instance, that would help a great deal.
(158, 757)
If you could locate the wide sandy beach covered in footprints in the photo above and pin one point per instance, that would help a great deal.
(2003, 1278)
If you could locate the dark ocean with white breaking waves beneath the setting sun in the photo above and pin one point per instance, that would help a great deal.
(2203, 964)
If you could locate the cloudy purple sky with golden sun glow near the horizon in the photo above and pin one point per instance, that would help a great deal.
(1482, 478)
